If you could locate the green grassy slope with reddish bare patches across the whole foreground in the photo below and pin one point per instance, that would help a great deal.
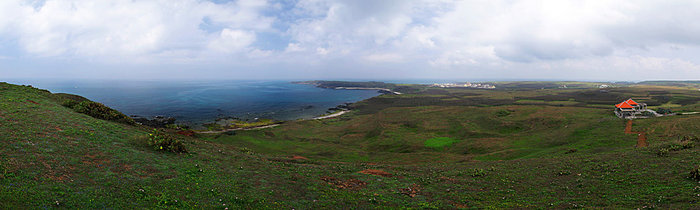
(49, 153)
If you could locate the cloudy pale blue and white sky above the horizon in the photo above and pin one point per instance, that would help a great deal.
(355, 39)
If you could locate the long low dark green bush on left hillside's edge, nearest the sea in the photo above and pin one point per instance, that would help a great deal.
(100, 111)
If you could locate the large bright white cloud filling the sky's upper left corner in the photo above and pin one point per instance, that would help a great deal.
(131, 29)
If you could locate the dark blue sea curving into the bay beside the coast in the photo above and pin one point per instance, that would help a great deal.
(197, 102)
